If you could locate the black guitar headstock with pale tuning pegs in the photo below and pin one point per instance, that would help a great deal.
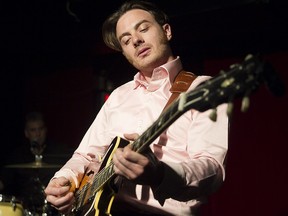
(239, 81)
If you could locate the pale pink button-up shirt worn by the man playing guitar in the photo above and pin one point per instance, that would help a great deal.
(193, 148)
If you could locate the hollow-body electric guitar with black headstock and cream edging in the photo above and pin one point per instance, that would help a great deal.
(96, 196)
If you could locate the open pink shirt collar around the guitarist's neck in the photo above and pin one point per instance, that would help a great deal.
(159, 75)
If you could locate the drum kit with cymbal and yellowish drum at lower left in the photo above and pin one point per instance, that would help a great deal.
(35, 203)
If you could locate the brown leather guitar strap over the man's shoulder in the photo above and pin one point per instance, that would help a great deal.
(181, 83)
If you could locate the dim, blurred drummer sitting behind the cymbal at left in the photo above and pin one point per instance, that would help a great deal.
(33, 162)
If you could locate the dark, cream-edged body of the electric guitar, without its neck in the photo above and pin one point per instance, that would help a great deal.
(101, 204)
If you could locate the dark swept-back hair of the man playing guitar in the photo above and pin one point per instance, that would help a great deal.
(109, 25)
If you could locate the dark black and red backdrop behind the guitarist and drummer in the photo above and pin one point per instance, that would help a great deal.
(53, 60)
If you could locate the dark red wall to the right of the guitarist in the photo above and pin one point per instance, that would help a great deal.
(256, 179)
